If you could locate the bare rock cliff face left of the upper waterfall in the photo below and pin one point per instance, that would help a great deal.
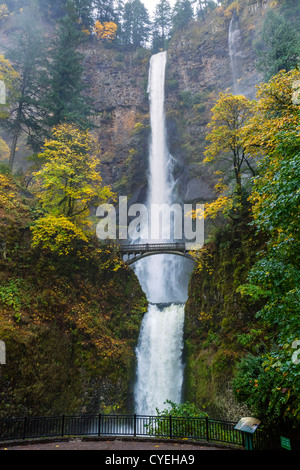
(117, 84)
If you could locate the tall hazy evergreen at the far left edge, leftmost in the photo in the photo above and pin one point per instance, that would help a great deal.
(26, 53)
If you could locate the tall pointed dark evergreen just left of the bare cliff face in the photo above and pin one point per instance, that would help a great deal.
(64, 99)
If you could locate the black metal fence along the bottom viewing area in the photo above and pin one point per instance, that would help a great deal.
(203, 429)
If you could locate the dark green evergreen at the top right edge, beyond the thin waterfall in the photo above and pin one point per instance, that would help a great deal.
(279, 47)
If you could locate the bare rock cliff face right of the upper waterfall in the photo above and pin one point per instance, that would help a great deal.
(199, 67)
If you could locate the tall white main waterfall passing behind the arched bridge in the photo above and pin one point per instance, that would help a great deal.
(162, 277)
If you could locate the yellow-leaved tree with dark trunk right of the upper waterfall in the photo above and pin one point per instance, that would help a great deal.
(227, 150)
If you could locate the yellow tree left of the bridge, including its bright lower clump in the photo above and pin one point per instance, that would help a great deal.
(67, 186)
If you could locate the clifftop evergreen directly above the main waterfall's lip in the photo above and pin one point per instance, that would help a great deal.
(161, 25)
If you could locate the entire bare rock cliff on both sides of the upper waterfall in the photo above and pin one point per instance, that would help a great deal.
(199, 67)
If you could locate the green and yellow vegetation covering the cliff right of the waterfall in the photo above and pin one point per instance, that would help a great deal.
(244, 295)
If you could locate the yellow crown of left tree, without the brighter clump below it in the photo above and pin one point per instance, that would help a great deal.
(70, 177)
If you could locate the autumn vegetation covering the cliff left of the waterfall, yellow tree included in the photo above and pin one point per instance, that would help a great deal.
(70, 308)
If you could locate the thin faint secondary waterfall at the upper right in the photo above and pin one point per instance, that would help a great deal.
(235, 52)
